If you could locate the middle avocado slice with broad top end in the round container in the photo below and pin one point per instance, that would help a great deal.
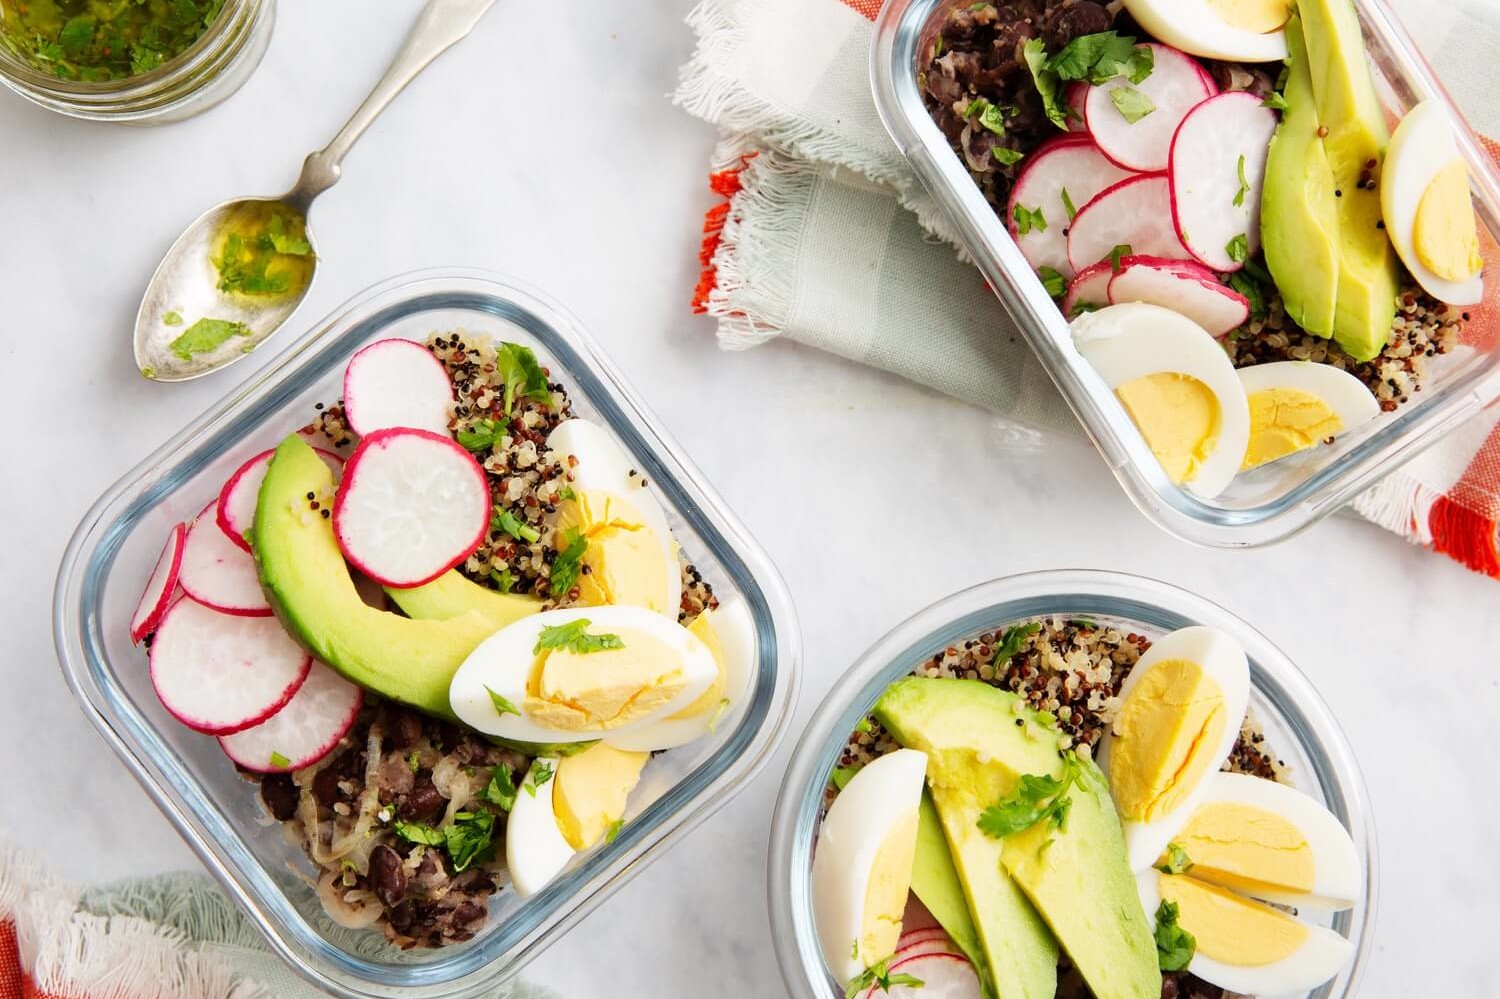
(1016, 943)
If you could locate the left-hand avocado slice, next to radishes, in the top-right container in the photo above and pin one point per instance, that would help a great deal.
(1298, 218)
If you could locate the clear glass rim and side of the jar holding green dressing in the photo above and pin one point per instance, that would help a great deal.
(200, 77)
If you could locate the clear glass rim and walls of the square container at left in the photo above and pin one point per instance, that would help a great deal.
(220, 814)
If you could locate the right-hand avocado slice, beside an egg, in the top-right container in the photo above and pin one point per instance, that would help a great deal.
(1355, 145)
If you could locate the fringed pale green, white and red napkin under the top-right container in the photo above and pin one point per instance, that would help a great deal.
(826, 238)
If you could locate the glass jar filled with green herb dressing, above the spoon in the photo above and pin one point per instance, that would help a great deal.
(137, 62)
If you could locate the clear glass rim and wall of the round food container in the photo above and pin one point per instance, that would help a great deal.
(1297, 722)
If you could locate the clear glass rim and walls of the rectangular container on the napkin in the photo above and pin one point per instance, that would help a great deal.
(1273, 502)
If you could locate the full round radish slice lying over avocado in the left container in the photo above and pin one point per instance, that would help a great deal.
(413, 505)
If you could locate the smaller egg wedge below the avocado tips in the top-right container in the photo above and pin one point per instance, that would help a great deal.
(1294, 406)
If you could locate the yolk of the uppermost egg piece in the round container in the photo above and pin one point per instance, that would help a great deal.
(1168, 734)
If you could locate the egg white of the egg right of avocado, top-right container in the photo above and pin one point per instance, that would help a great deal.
(1421, 146)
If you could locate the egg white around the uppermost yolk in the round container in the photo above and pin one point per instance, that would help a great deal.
(1222, 659)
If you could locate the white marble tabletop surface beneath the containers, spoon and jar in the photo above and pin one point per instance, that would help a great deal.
(545, 148)
